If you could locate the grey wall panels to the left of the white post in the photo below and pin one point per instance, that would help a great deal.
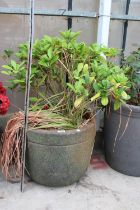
(15, 27)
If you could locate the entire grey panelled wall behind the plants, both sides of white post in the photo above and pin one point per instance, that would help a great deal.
(14, 28)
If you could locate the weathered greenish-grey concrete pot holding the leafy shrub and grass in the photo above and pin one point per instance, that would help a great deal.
(58, 158)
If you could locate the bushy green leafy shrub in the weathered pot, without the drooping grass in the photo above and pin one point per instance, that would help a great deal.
(68, 77)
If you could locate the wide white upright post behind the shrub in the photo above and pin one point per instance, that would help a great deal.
(104, 22)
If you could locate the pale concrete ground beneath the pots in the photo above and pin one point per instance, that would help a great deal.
(101, 189)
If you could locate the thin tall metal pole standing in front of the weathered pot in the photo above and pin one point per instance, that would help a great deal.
(27, 91)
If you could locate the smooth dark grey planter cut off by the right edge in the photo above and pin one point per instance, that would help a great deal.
(123, 154)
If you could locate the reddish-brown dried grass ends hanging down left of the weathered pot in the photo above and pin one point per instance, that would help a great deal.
(11, 148)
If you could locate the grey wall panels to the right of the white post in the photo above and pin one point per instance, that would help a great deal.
(116, 27)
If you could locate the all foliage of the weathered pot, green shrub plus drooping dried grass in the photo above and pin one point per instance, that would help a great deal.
(69, 81)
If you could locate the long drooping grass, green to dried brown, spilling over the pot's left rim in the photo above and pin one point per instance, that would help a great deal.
(12, 138)
